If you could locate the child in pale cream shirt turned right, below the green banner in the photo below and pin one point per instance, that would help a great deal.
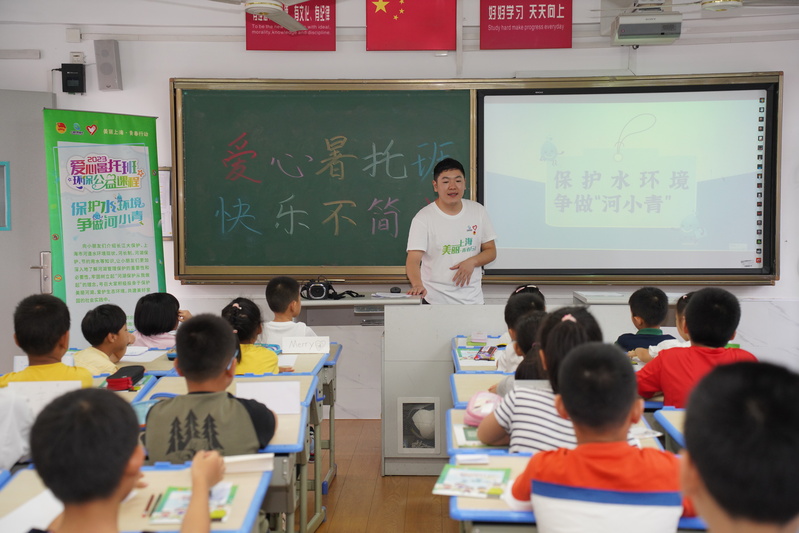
(105, 328)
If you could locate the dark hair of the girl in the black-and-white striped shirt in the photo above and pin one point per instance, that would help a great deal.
(563, 330)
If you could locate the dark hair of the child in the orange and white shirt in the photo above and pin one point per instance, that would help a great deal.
(597, 385)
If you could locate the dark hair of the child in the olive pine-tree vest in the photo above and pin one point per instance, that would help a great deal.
(205, 345)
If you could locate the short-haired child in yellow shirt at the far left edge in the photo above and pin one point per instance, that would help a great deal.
(41, 329)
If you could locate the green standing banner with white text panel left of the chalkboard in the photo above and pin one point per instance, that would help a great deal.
(105, 212)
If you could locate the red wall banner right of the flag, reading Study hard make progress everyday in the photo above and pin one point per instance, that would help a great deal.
(514, 24)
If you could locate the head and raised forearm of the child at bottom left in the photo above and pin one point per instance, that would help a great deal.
(85, 446)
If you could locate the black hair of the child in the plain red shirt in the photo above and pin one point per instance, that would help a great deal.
(712, 317)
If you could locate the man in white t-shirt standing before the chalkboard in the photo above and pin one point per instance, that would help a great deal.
(449, 242)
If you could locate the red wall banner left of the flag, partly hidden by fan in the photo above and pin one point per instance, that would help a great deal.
(319, 16)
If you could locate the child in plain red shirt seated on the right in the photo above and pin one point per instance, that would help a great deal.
(711, 318)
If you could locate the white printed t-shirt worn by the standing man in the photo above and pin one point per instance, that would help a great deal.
(447, 240)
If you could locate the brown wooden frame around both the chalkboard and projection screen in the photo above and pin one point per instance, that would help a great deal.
(396, 274)
